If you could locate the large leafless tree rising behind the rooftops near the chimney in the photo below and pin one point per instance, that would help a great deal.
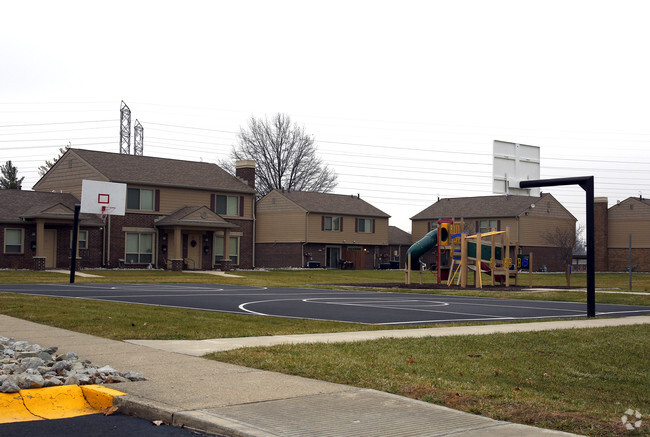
(284, 154)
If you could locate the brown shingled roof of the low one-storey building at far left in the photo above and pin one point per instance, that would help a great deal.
(18, 206)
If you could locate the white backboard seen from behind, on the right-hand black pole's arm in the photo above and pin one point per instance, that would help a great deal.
(513, 163)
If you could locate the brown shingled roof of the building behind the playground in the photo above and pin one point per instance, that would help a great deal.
(483, 206)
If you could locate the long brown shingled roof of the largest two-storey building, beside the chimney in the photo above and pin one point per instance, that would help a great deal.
(147, 170)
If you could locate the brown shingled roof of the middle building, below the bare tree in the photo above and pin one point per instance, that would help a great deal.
(332, 203)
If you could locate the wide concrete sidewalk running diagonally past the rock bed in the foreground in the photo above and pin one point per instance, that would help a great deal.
(237, 401)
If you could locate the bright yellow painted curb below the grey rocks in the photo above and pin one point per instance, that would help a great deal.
(55, 402)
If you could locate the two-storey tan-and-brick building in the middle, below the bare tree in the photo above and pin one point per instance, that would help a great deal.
(304, 229)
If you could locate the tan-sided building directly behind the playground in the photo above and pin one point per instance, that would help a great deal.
(531, 220)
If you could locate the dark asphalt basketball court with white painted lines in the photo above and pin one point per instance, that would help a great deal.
(354, 306)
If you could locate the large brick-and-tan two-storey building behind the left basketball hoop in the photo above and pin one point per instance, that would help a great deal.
(179, 214)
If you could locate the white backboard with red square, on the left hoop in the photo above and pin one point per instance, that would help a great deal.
(106, 198)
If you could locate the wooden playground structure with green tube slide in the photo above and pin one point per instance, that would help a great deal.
(457, 253)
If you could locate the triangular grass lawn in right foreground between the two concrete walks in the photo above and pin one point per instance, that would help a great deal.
(579, 381)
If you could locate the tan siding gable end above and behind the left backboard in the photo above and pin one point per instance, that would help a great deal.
(67, 174)
